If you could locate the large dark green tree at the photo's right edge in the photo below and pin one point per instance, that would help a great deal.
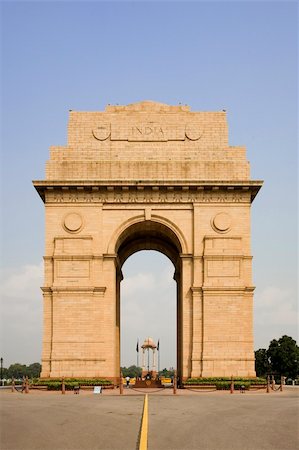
(284, 357)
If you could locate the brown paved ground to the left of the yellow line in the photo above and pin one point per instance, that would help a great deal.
(70, 422)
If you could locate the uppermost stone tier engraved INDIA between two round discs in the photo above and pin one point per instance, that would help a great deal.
(148, 122)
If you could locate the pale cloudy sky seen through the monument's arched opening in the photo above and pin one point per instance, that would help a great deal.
(148, 308)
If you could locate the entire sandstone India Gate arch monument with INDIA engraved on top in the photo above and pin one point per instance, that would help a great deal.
(147, 176)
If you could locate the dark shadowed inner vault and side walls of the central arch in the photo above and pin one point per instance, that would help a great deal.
(150, 235)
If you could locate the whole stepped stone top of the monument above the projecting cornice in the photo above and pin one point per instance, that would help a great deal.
(148, 141)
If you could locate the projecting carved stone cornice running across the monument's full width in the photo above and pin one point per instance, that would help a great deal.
(55, 192)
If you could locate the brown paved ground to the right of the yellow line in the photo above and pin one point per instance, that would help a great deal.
(224, 422)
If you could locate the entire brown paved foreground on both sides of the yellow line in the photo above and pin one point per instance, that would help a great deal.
(201, 421)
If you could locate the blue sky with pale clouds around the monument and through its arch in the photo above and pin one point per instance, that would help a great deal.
(238, 56)
